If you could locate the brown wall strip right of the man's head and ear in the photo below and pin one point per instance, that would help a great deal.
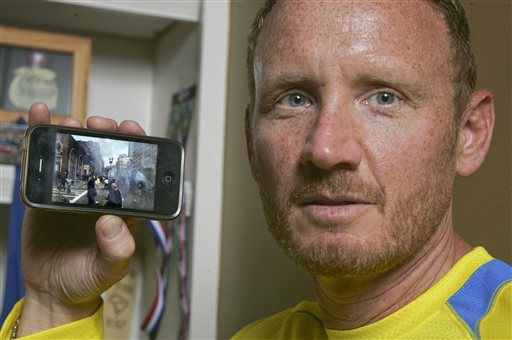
(483, 201)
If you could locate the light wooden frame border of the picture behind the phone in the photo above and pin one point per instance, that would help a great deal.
(80, 50)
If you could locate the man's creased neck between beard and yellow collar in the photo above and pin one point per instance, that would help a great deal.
(349, 303)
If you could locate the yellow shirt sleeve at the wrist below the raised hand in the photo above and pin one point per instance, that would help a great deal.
(90, 327)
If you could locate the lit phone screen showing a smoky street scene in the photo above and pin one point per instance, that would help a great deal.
(105, 172)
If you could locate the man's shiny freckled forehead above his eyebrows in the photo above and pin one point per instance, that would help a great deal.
(407, 34)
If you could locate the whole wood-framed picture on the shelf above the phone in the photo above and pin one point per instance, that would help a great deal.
(46, 67)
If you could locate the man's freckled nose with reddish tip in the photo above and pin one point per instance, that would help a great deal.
(333, 142)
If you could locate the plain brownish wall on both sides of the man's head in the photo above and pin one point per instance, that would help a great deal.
(256, 277)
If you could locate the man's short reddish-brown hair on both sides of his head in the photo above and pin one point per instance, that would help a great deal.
(462, 59)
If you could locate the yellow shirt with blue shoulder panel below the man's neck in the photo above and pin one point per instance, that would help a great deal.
(472, 301)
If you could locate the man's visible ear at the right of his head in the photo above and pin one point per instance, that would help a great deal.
(475, 132)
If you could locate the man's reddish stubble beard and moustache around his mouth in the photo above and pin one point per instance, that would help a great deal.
(413, 221)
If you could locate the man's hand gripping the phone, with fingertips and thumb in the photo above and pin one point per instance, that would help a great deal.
(67, 262)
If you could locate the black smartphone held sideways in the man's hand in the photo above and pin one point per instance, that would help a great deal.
(81, 170)
